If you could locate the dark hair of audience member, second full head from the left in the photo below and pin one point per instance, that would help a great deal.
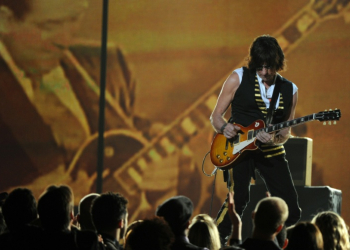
(55, 206)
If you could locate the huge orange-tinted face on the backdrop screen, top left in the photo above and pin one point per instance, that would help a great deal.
(37, 42)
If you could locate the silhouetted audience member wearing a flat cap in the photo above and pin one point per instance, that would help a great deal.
(177, 211)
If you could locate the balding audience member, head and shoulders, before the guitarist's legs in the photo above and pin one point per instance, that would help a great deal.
(269, 217)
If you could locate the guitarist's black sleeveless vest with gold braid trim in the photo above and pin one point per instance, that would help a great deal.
(248, 106)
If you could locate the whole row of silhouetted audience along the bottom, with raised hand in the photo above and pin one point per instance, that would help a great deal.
(107, 215)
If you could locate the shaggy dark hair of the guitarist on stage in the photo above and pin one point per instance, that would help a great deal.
(265, 49)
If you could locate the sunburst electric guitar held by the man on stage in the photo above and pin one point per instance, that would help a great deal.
(224, 153)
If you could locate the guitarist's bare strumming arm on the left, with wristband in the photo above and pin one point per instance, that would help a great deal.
(224, 100)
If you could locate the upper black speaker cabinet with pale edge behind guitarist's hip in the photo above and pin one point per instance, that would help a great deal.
(299, 156)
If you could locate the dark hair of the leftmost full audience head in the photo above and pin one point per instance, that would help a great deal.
(19, 208)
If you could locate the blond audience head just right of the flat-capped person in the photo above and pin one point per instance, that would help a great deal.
(203, 232)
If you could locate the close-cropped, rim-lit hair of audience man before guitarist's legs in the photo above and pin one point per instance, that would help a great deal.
(270, 213)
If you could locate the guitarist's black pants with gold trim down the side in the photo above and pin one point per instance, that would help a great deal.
(278, 180)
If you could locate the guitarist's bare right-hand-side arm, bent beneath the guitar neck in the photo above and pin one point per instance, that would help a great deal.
(283, 135)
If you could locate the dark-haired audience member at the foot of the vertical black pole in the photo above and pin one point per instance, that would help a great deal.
(110, 217)
